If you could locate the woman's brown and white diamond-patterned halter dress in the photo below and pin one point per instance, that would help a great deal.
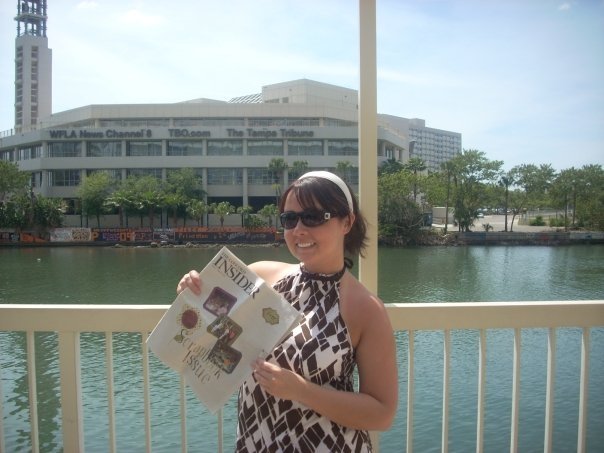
(320, 350)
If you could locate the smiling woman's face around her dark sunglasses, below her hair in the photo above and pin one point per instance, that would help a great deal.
(320, 248)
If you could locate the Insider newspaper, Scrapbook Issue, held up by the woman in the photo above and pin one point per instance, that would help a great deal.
(212, 339)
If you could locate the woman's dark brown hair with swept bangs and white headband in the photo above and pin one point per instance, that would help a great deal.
(311, 191)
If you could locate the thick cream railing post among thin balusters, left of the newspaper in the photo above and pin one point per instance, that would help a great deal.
(71, 392)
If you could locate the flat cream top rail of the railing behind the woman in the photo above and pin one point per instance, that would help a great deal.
(404, 316)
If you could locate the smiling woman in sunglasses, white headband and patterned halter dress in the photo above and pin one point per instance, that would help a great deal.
(301, 397)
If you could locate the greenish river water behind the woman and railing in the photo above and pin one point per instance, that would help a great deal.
(428, 274)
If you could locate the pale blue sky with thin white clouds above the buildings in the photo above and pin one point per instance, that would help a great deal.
(521, 80)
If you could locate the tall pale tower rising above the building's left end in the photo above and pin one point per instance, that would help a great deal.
(33, 65)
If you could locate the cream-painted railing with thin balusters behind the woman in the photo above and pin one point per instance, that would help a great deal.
(70, 320)
